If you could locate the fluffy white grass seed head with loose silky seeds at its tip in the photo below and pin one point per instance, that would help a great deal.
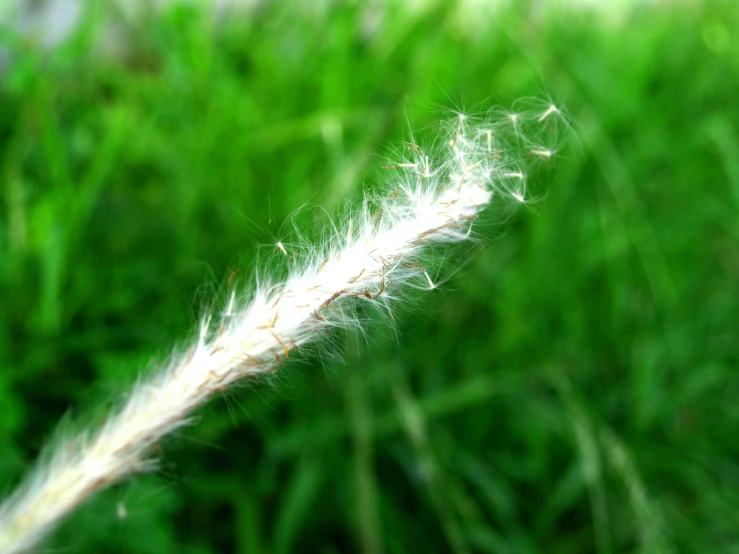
(431, 197)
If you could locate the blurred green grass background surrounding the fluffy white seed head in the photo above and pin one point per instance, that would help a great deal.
(574, 388)
